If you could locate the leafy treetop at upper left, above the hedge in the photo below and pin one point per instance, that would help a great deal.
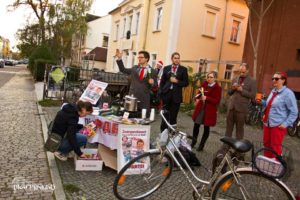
(57, 22)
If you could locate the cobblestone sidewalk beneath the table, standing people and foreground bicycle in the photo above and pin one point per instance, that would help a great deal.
(98, 185)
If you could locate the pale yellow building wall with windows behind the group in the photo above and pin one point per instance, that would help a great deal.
(188, 38)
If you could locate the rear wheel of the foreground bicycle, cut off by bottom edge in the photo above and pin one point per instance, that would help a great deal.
(253, 184)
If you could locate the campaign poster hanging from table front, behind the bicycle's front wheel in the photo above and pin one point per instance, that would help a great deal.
(133, 140)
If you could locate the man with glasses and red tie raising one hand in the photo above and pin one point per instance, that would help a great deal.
(143, 78)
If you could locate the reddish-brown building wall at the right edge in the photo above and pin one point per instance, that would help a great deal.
(279, 48)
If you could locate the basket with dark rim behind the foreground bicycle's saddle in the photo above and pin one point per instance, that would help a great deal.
(269, 163)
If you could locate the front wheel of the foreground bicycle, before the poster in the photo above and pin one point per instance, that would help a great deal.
(145, 181)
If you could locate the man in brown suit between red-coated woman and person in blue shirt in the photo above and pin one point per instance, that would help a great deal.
(242, 90)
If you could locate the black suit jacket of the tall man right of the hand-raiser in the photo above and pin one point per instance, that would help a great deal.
(165, 84)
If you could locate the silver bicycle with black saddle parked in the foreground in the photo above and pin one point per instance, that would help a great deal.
(237, 183)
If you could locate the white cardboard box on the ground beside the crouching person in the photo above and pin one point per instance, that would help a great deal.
(88, 165)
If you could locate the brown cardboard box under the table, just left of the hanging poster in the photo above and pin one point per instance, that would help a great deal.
(108, 156)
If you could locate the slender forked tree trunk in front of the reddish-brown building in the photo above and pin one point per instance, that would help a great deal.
(257, 9)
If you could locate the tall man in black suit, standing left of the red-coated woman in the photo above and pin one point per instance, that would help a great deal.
(174, 78)
